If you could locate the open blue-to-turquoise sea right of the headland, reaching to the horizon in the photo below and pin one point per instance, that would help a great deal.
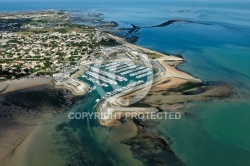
(219, 51)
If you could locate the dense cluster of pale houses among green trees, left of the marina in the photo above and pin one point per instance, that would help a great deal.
(42, 52)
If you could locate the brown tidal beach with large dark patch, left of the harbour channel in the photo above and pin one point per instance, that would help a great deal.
(23, 110)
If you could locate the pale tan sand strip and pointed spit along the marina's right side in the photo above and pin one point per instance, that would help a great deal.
(168, 78)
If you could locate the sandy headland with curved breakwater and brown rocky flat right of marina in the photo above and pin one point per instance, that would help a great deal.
(170, 78)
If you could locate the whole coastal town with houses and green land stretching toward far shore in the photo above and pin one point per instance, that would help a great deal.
(45, 48)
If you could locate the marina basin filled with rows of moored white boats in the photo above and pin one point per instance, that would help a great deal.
(116, 77)
